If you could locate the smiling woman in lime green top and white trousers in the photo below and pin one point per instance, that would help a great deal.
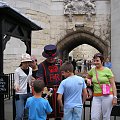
(100, 75)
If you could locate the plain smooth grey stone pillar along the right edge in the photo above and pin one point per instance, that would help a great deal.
(115, 38)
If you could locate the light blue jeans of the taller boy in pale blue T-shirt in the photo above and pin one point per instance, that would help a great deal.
(73, 113)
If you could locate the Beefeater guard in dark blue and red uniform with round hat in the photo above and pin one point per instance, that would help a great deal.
(49, 71)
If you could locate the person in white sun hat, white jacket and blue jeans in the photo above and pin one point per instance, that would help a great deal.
(22, 85)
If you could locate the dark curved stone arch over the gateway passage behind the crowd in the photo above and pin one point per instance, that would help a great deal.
(79, 37)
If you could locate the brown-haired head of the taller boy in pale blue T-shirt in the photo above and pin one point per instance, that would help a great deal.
(66, 69)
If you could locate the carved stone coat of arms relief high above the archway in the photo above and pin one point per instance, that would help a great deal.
(72, 7)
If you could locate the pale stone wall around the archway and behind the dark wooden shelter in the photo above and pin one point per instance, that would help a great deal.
(49, 14)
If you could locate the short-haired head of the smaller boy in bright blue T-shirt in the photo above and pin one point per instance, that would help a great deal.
(38, 86)
